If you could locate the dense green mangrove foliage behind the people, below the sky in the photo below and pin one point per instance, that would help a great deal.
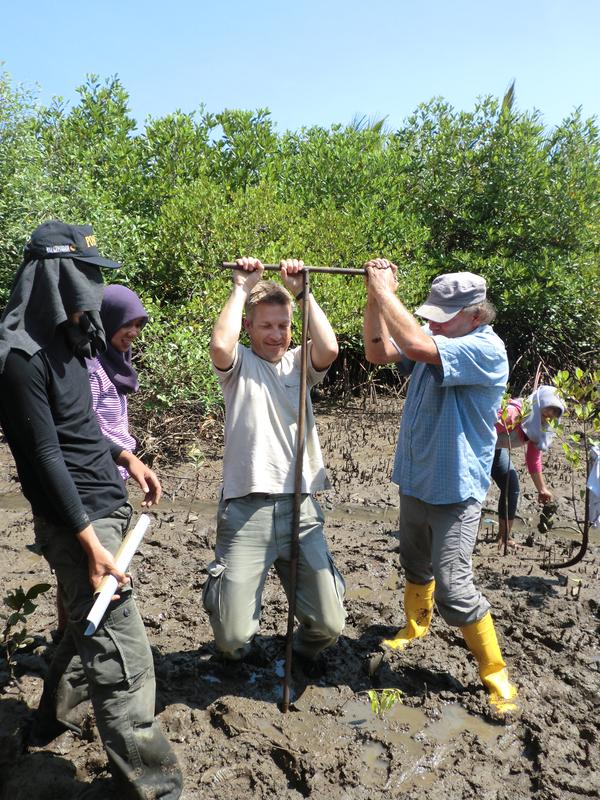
(490, 190)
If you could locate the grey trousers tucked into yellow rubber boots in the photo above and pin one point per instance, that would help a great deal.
(437, 542)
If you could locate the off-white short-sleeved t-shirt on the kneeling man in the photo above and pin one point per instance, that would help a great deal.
(261, 418)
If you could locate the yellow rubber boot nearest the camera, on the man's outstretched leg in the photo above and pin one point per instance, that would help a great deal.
(482, 642)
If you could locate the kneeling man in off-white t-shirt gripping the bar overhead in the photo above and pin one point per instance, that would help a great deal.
(255, 517)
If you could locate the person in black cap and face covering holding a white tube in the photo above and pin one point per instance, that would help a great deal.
(68, 472)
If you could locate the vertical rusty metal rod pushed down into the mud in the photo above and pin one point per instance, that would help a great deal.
(295, 544)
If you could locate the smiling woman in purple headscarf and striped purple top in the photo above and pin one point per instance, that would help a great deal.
(111, 373)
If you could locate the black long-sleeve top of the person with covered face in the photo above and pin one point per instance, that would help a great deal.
(65, 465)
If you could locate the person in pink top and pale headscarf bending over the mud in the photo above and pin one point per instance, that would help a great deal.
(534, 432)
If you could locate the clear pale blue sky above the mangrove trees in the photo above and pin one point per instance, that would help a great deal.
(311, 63)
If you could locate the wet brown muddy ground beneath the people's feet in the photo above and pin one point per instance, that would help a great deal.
(231, 739)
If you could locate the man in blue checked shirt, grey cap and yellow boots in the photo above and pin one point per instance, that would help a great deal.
(458, 369)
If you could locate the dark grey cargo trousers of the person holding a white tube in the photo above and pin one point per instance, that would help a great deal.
(113, 668)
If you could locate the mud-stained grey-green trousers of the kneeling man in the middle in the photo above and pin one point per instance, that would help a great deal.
(253, 533)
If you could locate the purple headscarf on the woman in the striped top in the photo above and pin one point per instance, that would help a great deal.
(119, 306)
